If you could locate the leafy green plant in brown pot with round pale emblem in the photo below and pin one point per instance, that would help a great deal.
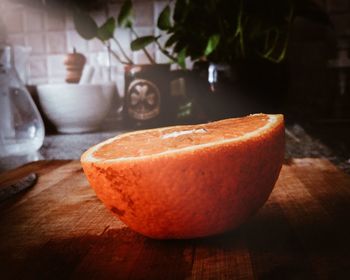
(147, 99)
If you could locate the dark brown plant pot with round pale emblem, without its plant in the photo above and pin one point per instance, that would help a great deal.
(153, 95)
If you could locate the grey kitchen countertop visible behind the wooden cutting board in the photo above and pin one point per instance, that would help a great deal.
(299, 144)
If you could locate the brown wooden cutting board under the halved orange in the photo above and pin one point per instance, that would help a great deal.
(59, 229)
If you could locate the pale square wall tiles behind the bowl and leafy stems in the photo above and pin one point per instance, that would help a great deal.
(52, 35)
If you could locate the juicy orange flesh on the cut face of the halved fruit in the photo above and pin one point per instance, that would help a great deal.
(157, 141)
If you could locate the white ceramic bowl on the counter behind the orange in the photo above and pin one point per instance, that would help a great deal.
(75, 108)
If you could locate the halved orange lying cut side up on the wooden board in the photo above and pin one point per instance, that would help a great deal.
(188, 181)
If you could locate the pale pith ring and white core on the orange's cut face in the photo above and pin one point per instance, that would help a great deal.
(88, 155)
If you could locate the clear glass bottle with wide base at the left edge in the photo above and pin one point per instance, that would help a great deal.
(21, 126)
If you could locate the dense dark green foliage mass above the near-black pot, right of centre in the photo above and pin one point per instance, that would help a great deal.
(241, 28)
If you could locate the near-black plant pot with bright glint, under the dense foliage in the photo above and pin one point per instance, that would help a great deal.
(224, 91)
